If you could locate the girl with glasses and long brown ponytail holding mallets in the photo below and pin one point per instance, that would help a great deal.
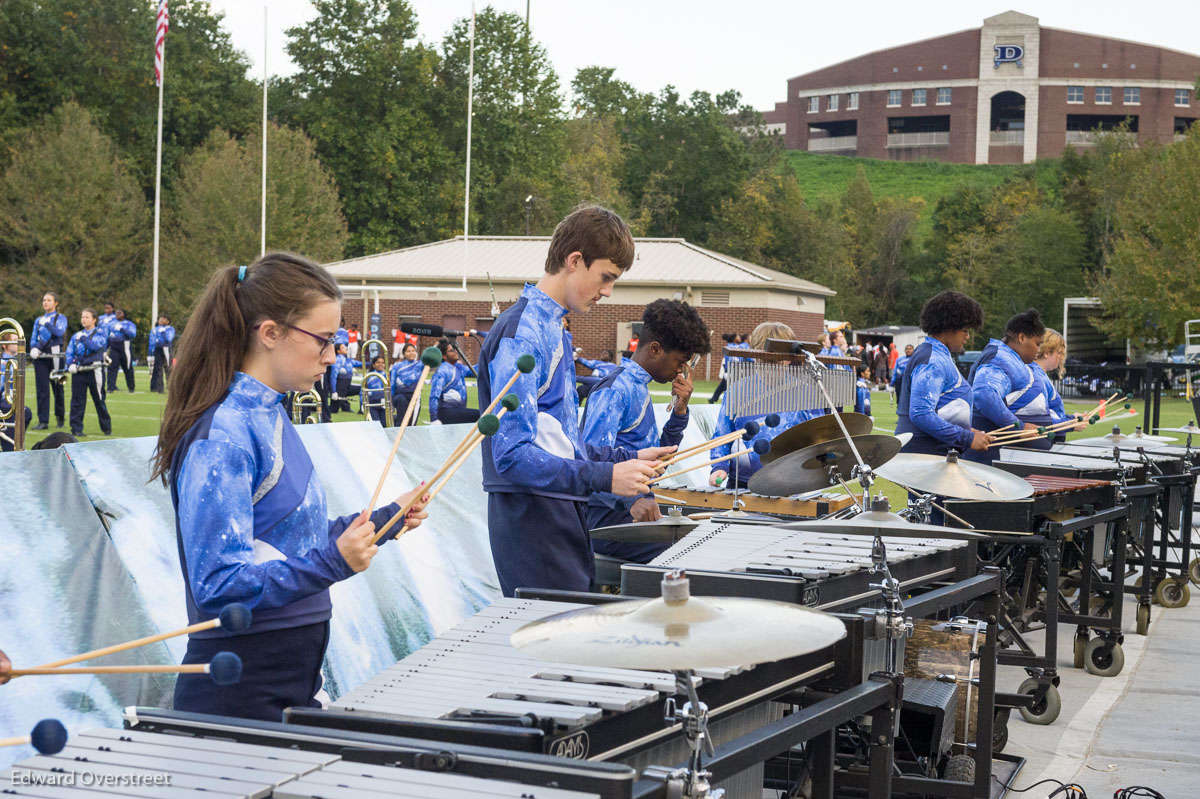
(251, 514)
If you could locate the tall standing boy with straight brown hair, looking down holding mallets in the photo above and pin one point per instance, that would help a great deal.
(538, 473)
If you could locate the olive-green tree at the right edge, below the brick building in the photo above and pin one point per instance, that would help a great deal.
(1153, 284)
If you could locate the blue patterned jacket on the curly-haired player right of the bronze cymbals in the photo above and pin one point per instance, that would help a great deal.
(934, 402)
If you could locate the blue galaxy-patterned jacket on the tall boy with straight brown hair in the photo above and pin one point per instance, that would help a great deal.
(538, 448)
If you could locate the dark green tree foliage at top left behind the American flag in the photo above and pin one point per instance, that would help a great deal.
(100, 55)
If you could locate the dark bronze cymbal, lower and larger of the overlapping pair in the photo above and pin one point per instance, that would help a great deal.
(806, 470)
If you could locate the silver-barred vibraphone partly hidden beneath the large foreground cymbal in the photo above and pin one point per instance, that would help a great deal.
(471, 686)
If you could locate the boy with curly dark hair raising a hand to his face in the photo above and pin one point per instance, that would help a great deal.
(620, 414)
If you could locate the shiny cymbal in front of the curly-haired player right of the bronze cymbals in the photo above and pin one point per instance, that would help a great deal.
(952, 477)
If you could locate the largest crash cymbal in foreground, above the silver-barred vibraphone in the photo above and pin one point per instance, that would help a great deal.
(680, 634)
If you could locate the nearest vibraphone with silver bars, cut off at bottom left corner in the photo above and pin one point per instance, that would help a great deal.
(212, 759)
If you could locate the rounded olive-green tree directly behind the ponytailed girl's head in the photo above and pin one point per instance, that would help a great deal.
(214, 217)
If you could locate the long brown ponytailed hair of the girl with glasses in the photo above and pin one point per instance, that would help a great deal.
(279, 286)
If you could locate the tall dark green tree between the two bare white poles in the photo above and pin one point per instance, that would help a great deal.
(367, 93)
